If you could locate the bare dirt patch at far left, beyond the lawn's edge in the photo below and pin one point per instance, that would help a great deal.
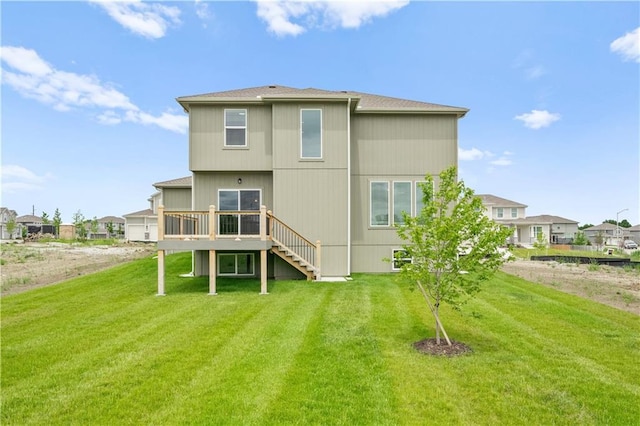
(32, 265)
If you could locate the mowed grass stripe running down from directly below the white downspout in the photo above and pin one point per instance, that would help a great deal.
(339, 376)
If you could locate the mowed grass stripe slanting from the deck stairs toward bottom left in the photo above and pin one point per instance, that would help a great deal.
(239, 382)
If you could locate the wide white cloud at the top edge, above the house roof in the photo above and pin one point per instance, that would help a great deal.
(325, 13)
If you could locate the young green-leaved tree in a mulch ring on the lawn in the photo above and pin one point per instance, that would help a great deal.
(452, 245)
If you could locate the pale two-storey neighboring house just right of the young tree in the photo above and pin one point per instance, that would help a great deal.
(554, 229)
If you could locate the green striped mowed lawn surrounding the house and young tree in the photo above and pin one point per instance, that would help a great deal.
(103, 349)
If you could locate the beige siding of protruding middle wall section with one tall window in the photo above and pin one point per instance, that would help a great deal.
(311, 195)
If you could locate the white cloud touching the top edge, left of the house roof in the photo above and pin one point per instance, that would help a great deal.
(149, 20)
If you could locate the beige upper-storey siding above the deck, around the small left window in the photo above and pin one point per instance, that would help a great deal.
(206, 140)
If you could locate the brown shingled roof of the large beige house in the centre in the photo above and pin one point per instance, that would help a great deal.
(361, 102)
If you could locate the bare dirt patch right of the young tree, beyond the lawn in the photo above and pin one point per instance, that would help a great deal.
(610, 285)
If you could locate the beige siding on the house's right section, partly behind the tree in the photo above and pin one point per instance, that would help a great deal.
(393, 148)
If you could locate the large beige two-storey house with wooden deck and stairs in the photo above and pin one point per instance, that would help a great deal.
(290, 183)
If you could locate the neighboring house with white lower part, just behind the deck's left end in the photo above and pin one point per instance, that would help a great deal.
(143, 225)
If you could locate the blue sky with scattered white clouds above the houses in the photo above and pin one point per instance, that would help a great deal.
(90, 121)
